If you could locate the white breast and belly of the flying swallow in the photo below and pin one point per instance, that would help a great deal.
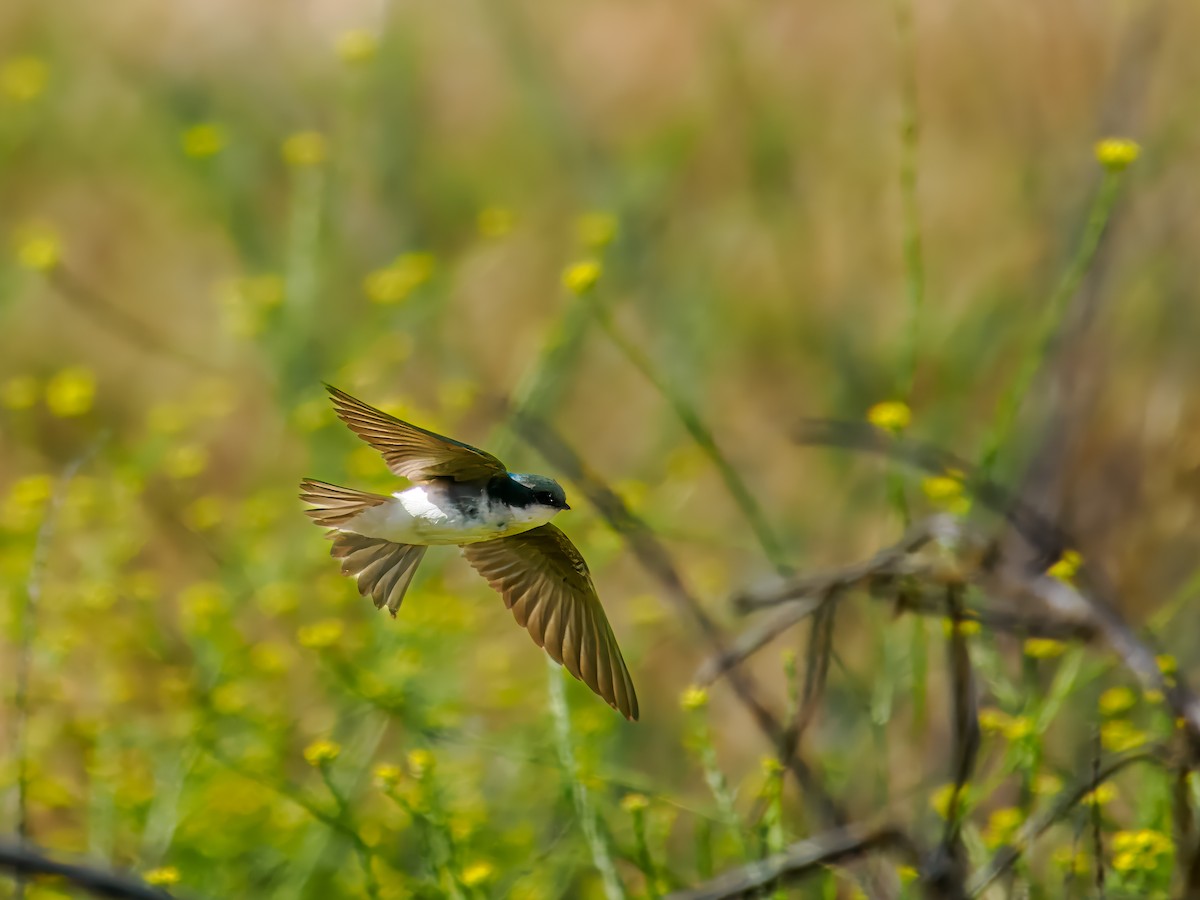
(425, 515)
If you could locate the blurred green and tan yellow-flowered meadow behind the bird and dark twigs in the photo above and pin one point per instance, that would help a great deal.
(211, 208)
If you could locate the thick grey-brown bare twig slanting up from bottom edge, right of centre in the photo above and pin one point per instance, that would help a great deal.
(800, 860)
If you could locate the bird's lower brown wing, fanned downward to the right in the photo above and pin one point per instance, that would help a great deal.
(547, 584)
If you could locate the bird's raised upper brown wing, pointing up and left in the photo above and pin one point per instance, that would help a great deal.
(413, 453)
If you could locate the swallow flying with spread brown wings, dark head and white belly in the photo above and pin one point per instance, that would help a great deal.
(501, 520)
